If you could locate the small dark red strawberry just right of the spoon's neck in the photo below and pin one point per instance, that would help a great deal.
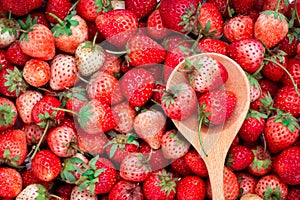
(239, 157)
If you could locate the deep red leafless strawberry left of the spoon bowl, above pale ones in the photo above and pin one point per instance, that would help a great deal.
(137, 85)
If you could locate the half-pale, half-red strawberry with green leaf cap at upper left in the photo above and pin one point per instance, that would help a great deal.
(68, 34)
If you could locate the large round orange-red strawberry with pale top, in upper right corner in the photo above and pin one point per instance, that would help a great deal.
(270, 28)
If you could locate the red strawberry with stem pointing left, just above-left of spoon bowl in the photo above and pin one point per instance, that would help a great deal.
(144, 51)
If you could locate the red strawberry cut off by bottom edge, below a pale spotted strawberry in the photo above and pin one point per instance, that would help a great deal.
(125, 190)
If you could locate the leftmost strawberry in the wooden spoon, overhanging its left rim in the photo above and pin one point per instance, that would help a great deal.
(179, 102)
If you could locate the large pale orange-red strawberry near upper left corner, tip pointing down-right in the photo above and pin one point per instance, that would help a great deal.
(38, 42)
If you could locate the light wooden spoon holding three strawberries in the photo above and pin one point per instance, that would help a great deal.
(217, 139)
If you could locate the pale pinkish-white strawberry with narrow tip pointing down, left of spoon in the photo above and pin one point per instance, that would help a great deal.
(150, 126)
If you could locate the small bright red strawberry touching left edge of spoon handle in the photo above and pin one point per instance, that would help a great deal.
(195, 163)
